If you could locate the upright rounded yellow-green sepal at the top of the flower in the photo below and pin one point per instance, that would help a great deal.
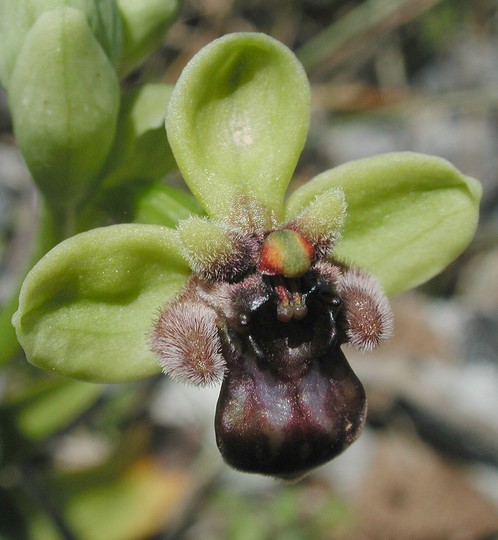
(237, 121)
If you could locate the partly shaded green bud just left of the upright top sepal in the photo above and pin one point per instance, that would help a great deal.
(140, 149)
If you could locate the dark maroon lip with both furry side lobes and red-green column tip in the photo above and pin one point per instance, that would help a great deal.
(268, 321)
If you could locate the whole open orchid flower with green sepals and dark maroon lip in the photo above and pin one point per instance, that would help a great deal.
(261, 292)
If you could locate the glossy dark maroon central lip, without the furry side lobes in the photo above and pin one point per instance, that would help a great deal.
(289, 401)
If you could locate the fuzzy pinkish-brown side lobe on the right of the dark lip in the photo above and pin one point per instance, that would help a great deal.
(367, 310)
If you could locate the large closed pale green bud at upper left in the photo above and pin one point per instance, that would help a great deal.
(64, 99)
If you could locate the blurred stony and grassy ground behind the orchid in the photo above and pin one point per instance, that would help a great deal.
(139, 461)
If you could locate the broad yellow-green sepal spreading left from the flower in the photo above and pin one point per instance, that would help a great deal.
(86, 309)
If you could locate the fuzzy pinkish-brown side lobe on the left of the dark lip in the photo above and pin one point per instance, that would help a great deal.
(186, 343)
